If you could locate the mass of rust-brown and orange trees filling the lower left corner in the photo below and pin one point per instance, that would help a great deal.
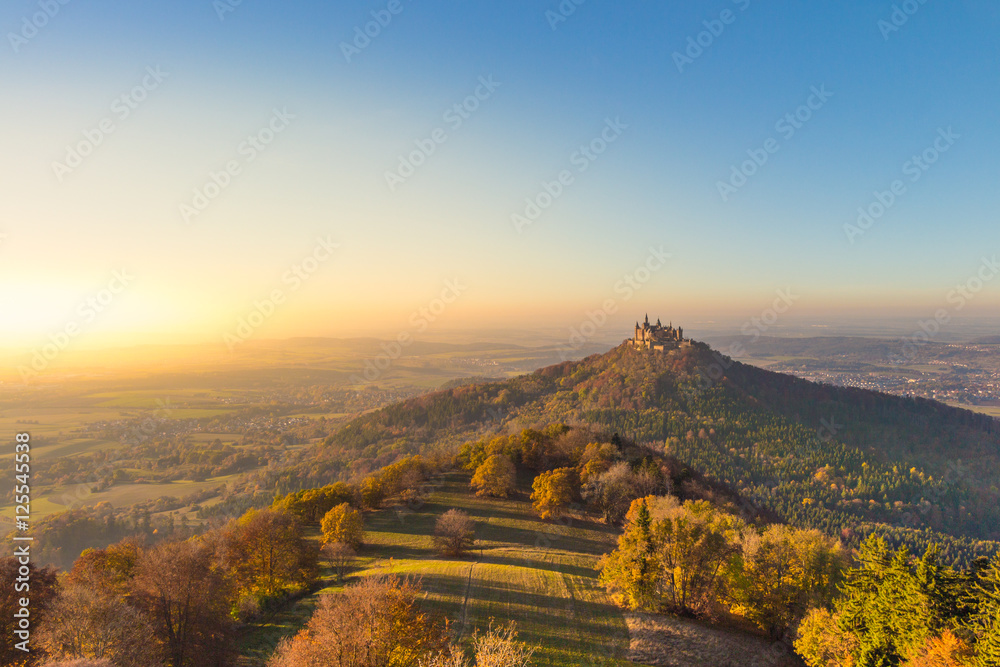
(176, 603)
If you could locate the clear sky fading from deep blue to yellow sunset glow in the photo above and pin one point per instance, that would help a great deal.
(518, 158)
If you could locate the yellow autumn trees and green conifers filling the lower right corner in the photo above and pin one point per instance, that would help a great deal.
(887, 610)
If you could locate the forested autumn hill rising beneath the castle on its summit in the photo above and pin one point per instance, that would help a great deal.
(846, 461)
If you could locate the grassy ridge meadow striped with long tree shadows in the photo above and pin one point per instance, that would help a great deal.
(540, 574)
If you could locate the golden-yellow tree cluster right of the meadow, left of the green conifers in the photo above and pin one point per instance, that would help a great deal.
(693, 559)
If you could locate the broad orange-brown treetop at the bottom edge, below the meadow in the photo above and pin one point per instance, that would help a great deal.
(374, 623)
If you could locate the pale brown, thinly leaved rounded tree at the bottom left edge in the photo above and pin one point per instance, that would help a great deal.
(90, 620)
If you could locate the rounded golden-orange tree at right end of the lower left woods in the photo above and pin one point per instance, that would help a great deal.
(265, 553)
